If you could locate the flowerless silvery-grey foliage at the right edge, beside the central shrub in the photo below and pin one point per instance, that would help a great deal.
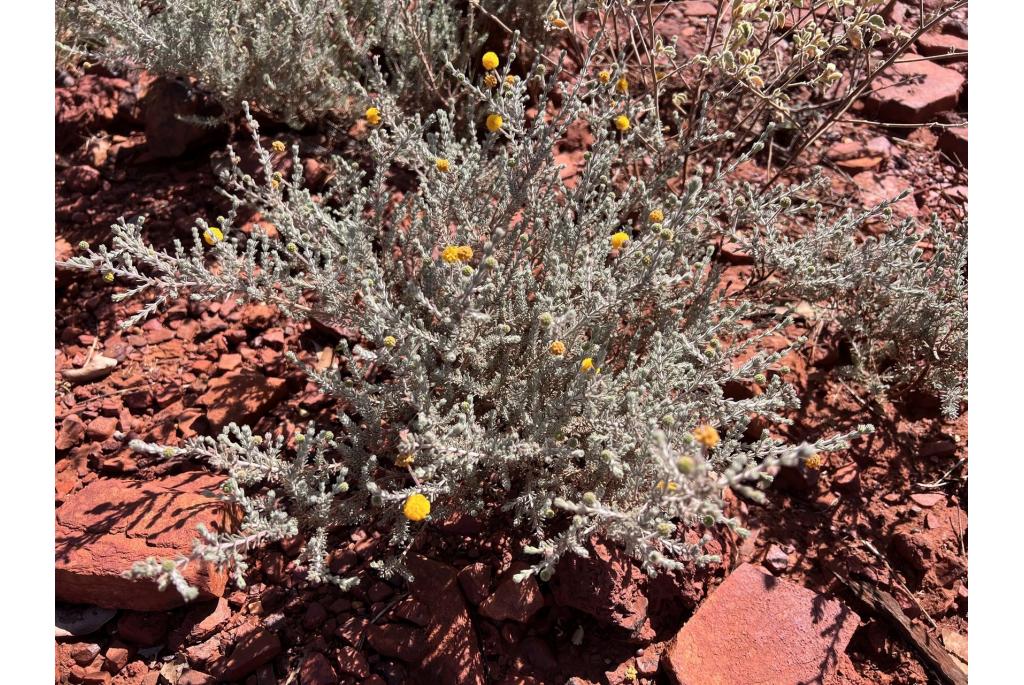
(903, 312)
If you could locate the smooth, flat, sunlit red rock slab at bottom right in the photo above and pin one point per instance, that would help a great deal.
(759, 629)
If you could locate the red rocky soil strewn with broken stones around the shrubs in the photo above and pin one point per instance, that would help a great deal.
(891, 511)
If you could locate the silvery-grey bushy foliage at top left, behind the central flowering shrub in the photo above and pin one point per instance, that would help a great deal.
(297, 61)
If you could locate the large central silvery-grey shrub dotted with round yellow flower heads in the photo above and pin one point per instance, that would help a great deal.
(455, 369)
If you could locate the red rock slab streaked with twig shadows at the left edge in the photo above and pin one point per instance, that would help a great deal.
(110, 525)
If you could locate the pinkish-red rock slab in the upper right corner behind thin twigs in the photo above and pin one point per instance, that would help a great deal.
(914, 93)
